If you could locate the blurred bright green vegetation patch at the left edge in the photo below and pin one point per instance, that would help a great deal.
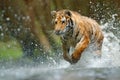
(10, 50)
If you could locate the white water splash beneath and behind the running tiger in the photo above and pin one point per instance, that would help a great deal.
(110, 50)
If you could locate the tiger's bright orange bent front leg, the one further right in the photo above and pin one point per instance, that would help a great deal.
(80, 47)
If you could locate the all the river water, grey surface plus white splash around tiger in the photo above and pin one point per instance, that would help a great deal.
(88, 68)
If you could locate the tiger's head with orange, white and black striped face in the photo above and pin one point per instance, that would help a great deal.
(62, 21)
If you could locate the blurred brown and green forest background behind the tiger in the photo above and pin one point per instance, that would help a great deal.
(26, 30)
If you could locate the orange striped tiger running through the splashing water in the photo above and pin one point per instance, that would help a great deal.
(77, 31)
